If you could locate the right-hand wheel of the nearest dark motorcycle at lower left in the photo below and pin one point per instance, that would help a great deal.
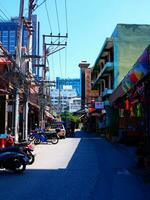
(19, 165)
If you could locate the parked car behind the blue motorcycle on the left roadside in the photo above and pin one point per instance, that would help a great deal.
(52, 128)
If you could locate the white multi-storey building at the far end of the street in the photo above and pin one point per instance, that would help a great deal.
(60, 98)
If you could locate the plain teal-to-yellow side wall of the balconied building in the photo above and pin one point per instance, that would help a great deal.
(129, 43)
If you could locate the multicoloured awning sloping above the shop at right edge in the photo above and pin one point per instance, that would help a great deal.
(139, 70)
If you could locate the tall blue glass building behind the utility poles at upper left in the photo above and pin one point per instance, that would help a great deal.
(8, 37)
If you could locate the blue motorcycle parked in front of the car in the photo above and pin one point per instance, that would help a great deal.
(40, 135)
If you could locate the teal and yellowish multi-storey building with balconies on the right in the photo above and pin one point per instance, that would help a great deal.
(117, 56)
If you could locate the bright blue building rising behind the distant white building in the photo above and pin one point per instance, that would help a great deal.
(74, 82)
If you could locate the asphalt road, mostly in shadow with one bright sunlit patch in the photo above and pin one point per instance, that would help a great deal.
(81, 168)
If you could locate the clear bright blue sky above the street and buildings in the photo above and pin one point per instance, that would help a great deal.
(89, 23)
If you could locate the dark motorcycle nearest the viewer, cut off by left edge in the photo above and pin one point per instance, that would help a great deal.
(13, 161)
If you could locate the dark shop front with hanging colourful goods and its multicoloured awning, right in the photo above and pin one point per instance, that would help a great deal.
(132, 102)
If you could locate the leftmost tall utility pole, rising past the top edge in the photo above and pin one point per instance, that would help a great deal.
(18, 62)
